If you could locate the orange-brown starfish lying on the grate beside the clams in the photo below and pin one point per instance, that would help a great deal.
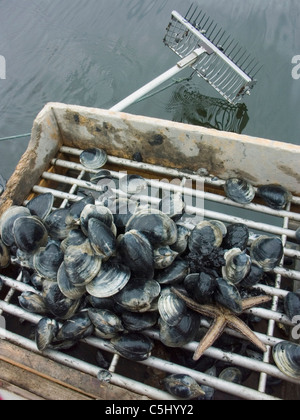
(223, 318)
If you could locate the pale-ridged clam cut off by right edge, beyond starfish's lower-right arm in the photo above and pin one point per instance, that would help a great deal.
(287, 358)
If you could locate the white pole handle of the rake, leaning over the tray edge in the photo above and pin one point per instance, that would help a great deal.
(181, 65)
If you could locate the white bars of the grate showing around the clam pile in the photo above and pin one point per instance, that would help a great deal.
(215, 206)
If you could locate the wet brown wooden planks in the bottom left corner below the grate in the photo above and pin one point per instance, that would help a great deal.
(51, 380)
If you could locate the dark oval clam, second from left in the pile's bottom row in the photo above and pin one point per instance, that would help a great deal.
(77, 327)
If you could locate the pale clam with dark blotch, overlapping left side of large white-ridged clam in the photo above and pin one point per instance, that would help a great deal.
(81, 264)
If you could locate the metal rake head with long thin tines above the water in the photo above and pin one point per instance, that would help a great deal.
(226, 65)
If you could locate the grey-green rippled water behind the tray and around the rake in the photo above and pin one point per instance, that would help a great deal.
(96, 52)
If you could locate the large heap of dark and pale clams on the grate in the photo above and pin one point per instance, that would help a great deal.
(111, 275)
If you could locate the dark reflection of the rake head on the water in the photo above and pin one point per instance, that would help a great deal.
(189, 106)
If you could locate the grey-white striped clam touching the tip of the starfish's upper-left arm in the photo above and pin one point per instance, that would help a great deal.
(171, 308)
